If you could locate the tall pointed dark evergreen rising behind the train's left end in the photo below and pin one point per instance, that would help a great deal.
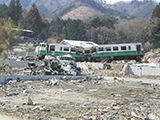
(34, 20)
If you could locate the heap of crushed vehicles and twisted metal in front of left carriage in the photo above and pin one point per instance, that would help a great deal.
(63, 65)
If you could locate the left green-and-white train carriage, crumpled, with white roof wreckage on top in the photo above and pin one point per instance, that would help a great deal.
(80, 50)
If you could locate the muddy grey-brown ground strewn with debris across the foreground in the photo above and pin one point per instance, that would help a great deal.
(82, 99)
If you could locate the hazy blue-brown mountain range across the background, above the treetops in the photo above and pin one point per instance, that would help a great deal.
(54, 8)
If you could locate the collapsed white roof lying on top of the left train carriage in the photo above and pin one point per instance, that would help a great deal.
(82, 44)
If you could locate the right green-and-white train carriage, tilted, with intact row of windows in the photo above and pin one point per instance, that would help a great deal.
(118, 52)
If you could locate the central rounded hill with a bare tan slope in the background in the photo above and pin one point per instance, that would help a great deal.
(85, 8)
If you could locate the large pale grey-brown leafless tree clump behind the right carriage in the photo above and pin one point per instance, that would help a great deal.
(132, 30)
